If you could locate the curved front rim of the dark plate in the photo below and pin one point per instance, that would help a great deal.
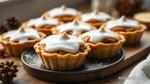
(73, 72)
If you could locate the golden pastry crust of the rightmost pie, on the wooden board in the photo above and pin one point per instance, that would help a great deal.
(132, 36)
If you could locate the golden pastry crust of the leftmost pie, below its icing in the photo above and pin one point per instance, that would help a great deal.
(14, 48)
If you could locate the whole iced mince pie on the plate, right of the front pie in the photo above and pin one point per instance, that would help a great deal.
(103, 43)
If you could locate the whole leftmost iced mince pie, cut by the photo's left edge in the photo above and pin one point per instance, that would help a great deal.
(16, 41)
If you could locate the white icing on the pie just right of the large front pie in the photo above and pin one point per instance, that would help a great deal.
(98, 35)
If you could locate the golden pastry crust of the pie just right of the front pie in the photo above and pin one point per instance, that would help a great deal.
(105, 49)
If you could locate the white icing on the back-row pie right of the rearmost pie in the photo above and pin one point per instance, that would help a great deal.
(100, 16)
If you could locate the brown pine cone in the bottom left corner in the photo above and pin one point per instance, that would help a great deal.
(7, 71)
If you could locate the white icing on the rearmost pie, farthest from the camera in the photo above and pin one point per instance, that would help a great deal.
(62, 11)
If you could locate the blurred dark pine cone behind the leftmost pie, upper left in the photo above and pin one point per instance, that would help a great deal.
(12, 23)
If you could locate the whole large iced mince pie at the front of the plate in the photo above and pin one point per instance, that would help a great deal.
(62, 52)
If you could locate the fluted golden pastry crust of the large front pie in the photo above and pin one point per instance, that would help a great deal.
(55, 61)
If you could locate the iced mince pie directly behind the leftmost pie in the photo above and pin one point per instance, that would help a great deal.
(42, 24)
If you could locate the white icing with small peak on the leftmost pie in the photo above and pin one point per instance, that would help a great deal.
(22, 35)
